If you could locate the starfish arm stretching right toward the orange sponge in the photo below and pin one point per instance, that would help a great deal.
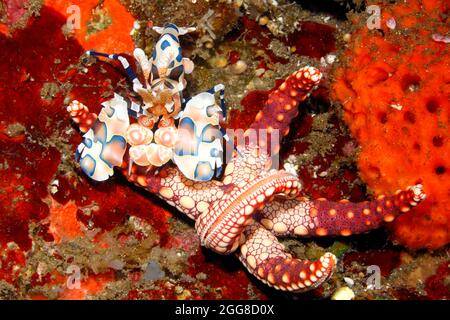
(320, 217)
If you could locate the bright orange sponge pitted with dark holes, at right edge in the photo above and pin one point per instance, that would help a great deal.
(394, 85)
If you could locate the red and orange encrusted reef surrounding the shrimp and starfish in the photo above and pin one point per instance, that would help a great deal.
(376, 122)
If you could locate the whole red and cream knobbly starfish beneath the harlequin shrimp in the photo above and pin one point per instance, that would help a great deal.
(253, 204)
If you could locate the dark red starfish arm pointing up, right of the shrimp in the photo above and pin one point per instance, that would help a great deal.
(281, 106)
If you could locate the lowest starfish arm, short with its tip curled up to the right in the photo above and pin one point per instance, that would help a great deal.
(267, 260)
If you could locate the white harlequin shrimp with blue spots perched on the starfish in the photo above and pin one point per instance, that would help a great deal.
(196, 146)
